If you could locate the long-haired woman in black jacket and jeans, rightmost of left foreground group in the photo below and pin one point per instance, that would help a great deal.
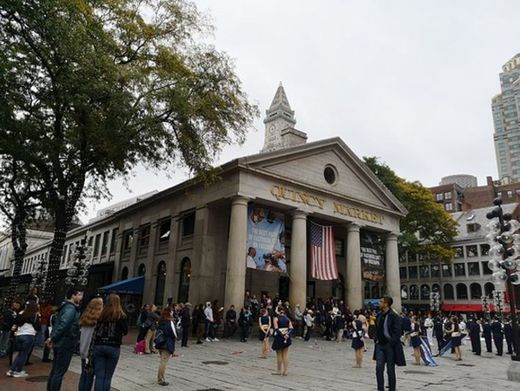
(108, 335)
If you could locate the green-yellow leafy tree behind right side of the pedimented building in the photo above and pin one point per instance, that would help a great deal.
(427, 229)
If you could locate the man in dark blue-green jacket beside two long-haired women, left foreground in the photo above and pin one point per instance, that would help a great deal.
(64, 338)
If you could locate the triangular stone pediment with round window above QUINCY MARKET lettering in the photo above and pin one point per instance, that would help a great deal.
(306, 165)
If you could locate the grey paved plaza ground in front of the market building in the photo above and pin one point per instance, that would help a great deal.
(314, 365)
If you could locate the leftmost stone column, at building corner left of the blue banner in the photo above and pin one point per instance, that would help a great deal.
(236, 254)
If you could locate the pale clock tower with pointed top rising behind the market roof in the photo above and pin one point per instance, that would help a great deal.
(279, 124)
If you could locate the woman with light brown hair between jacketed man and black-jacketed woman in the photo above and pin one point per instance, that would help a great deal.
(87, 324)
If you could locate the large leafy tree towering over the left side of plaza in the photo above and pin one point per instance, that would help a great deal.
(94, 87)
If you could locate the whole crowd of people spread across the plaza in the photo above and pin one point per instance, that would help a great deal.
(95, 331)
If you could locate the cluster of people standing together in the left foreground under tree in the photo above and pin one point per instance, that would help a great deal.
(98, 331)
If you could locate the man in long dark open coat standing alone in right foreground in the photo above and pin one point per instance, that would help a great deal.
(388, 348)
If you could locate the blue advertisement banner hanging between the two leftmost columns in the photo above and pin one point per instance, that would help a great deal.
(265, 239)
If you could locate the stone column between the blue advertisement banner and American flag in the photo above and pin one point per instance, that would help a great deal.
(298, 264)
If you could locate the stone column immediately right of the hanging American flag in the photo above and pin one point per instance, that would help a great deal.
(354, 291)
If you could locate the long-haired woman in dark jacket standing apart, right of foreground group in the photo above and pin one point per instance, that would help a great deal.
(165, 342)
